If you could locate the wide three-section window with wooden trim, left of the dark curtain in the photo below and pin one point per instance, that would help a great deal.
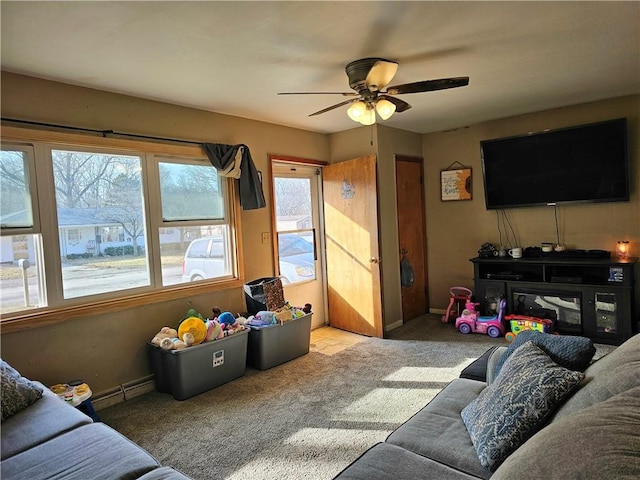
(109, 222)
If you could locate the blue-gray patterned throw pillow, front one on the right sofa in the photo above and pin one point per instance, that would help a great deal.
(517, 403)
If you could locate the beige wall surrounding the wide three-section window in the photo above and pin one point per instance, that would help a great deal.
(109, 350)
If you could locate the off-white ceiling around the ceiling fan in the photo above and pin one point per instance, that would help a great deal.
(234, 57)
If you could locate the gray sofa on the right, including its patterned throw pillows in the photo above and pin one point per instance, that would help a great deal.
(570, 424)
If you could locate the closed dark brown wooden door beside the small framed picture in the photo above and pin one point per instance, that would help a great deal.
(411, 235)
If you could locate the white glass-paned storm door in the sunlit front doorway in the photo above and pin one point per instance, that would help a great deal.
(299, 237)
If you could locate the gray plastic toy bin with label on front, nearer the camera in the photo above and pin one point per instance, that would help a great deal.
(194, 370)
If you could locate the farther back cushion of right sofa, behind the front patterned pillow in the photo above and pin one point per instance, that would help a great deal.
(612, 374)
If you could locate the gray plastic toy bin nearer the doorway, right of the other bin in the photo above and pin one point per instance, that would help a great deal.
(276, 344)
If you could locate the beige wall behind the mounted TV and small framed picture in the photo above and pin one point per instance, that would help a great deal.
(455, 230)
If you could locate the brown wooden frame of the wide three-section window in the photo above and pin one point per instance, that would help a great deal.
(38, 144)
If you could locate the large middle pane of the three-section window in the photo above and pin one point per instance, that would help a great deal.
(96, 190)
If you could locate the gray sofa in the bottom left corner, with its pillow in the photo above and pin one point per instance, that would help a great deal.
(43, 437)
